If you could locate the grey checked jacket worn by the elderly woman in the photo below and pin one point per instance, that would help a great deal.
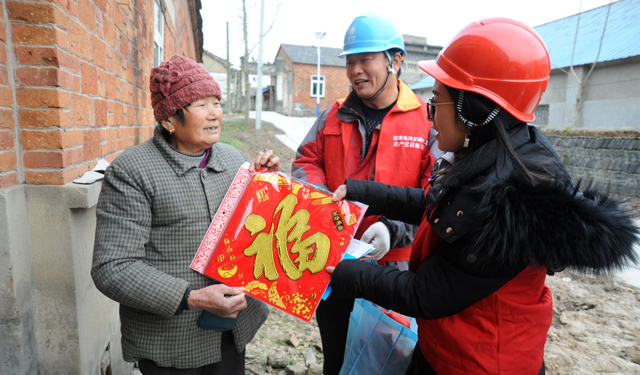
(153, 211)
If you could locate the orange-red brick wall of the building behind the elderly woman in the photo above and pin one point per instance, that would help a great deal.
(74, 78)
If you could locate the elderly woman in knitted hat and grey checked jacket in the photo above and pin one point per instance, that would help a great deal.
(157, 201)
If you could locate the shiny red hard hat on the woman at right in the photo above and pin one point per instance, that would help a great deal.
(500, 58)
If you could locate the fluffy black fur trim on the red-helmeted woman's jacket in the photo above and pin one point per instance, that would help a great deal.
(554, 225)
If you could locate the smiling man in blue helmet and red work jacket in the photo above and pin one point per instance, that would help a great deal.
(380, 132)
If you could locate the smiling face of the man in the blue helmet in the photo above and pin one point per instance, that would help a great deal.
(367, 72)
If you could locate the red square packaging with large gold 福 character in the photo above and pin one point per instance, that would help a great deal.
(275, 236)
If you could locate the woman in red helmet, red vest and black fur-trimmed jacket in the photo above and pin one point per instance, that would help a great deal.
(499, 216)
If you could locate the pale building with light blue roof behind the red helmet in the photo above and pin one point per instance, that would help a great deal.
(595, 73)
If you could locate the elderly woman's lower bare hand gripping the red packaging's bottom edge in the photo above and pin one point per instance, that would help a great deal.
(212, 299)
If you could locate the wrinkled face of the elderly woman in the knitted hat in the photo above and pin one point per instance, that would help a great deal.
(201, 130)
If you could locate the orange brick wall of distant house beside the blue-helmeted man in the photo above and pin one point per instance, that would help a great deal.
(336, 85)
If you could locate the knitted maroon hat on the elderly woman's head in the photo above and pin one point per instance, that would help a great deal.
(178, 82)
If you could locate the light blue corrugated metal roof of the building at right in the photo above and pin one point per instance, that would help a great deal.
(621, 35)
